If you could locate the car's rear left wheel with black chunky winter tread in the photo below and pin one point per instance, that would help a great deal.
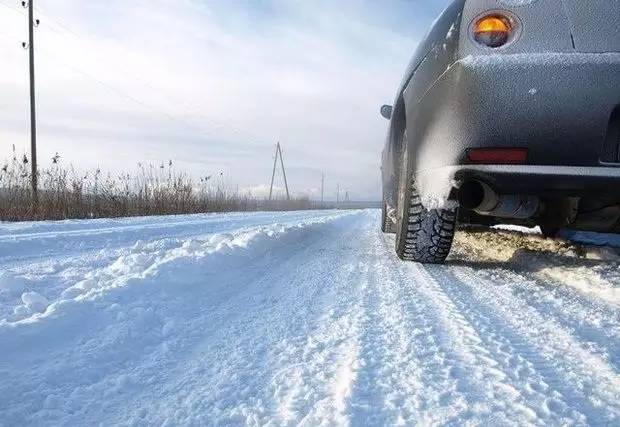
(422, 235)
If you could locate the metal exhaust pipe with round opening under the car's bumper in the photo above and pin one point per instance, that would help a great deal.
(482, 199)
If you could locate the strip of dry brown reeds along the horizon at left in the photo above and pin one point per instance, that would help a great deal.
(150, 190)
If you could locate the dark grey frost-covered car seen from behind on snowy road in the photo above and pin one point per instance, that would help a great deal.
(509, 112)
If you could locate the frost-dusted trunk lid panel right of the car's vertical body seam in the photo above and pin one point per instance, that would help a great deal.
(594, 24)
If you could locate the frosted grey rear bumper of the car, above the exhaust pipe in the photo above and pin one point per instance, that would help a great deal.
(558, 106)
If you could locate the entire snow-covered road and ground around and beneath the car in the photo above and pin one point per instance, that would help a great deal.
(301, 319)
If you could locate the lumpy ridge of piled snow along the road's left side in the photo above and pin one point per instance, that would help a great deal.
(190, 261)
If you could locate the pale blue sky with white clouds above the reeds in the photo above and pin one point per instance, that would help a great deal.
(212, 86)
